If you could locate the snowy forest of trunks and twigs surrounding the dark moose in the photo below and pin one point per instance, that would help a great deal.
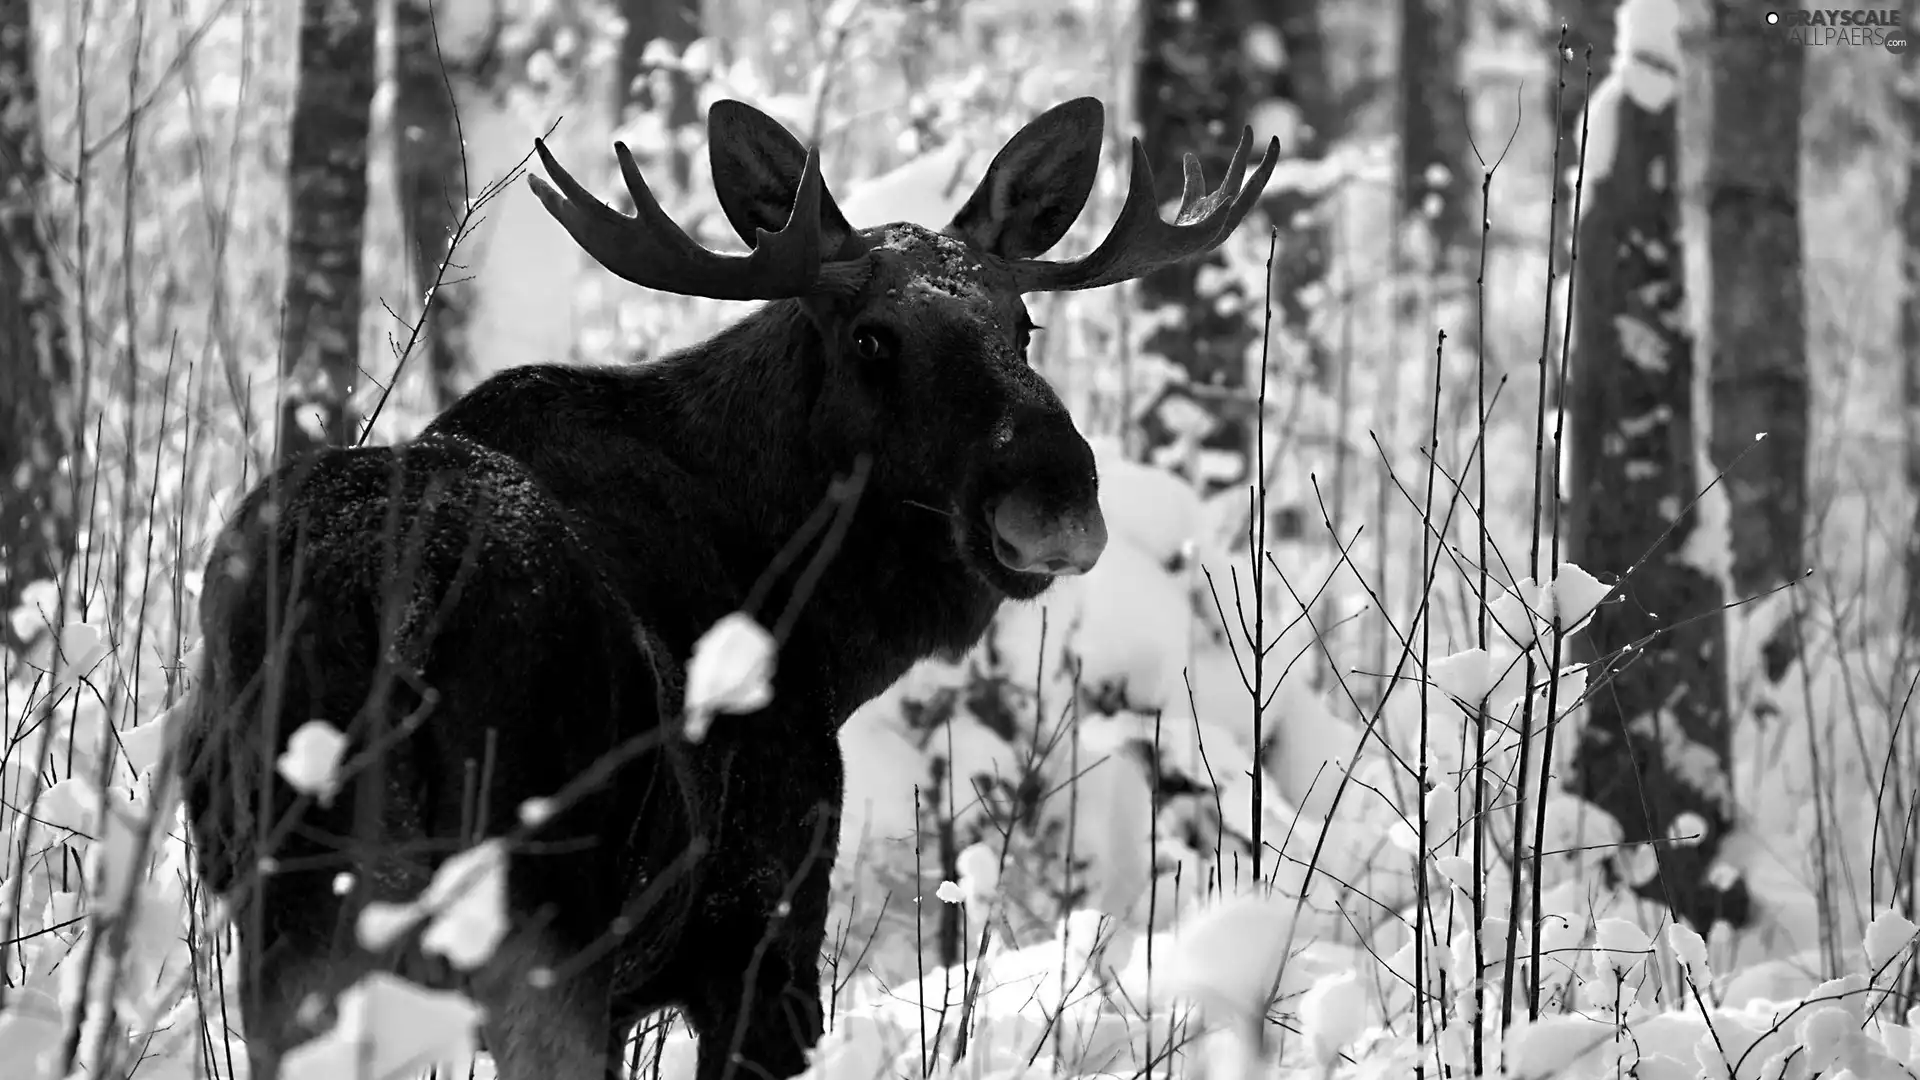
(1506, 649)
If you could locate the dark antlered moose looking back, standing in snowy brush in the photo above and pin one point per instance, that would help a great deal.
(500, 612)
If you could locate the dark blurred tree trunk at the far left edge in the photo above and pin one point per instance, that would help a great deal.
(37, 524)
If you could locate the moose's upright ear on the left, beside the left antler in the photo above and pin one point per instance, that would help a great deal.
(757, 172)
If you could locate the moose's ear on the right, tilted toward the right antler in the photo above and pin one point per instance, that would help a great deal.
(1036, 185)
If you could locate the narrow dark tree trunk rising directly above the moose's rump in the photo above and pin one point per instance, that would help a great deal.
(327, 212)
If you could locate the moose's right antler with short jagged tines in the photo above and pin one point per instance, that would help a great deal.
(1141, 241)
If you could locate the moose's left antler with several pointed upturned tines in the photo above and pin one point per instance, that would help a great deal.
(654, 253)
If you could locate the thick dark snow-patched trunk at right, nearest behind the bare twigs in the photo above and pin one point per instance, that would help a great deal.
(1656, 739)
